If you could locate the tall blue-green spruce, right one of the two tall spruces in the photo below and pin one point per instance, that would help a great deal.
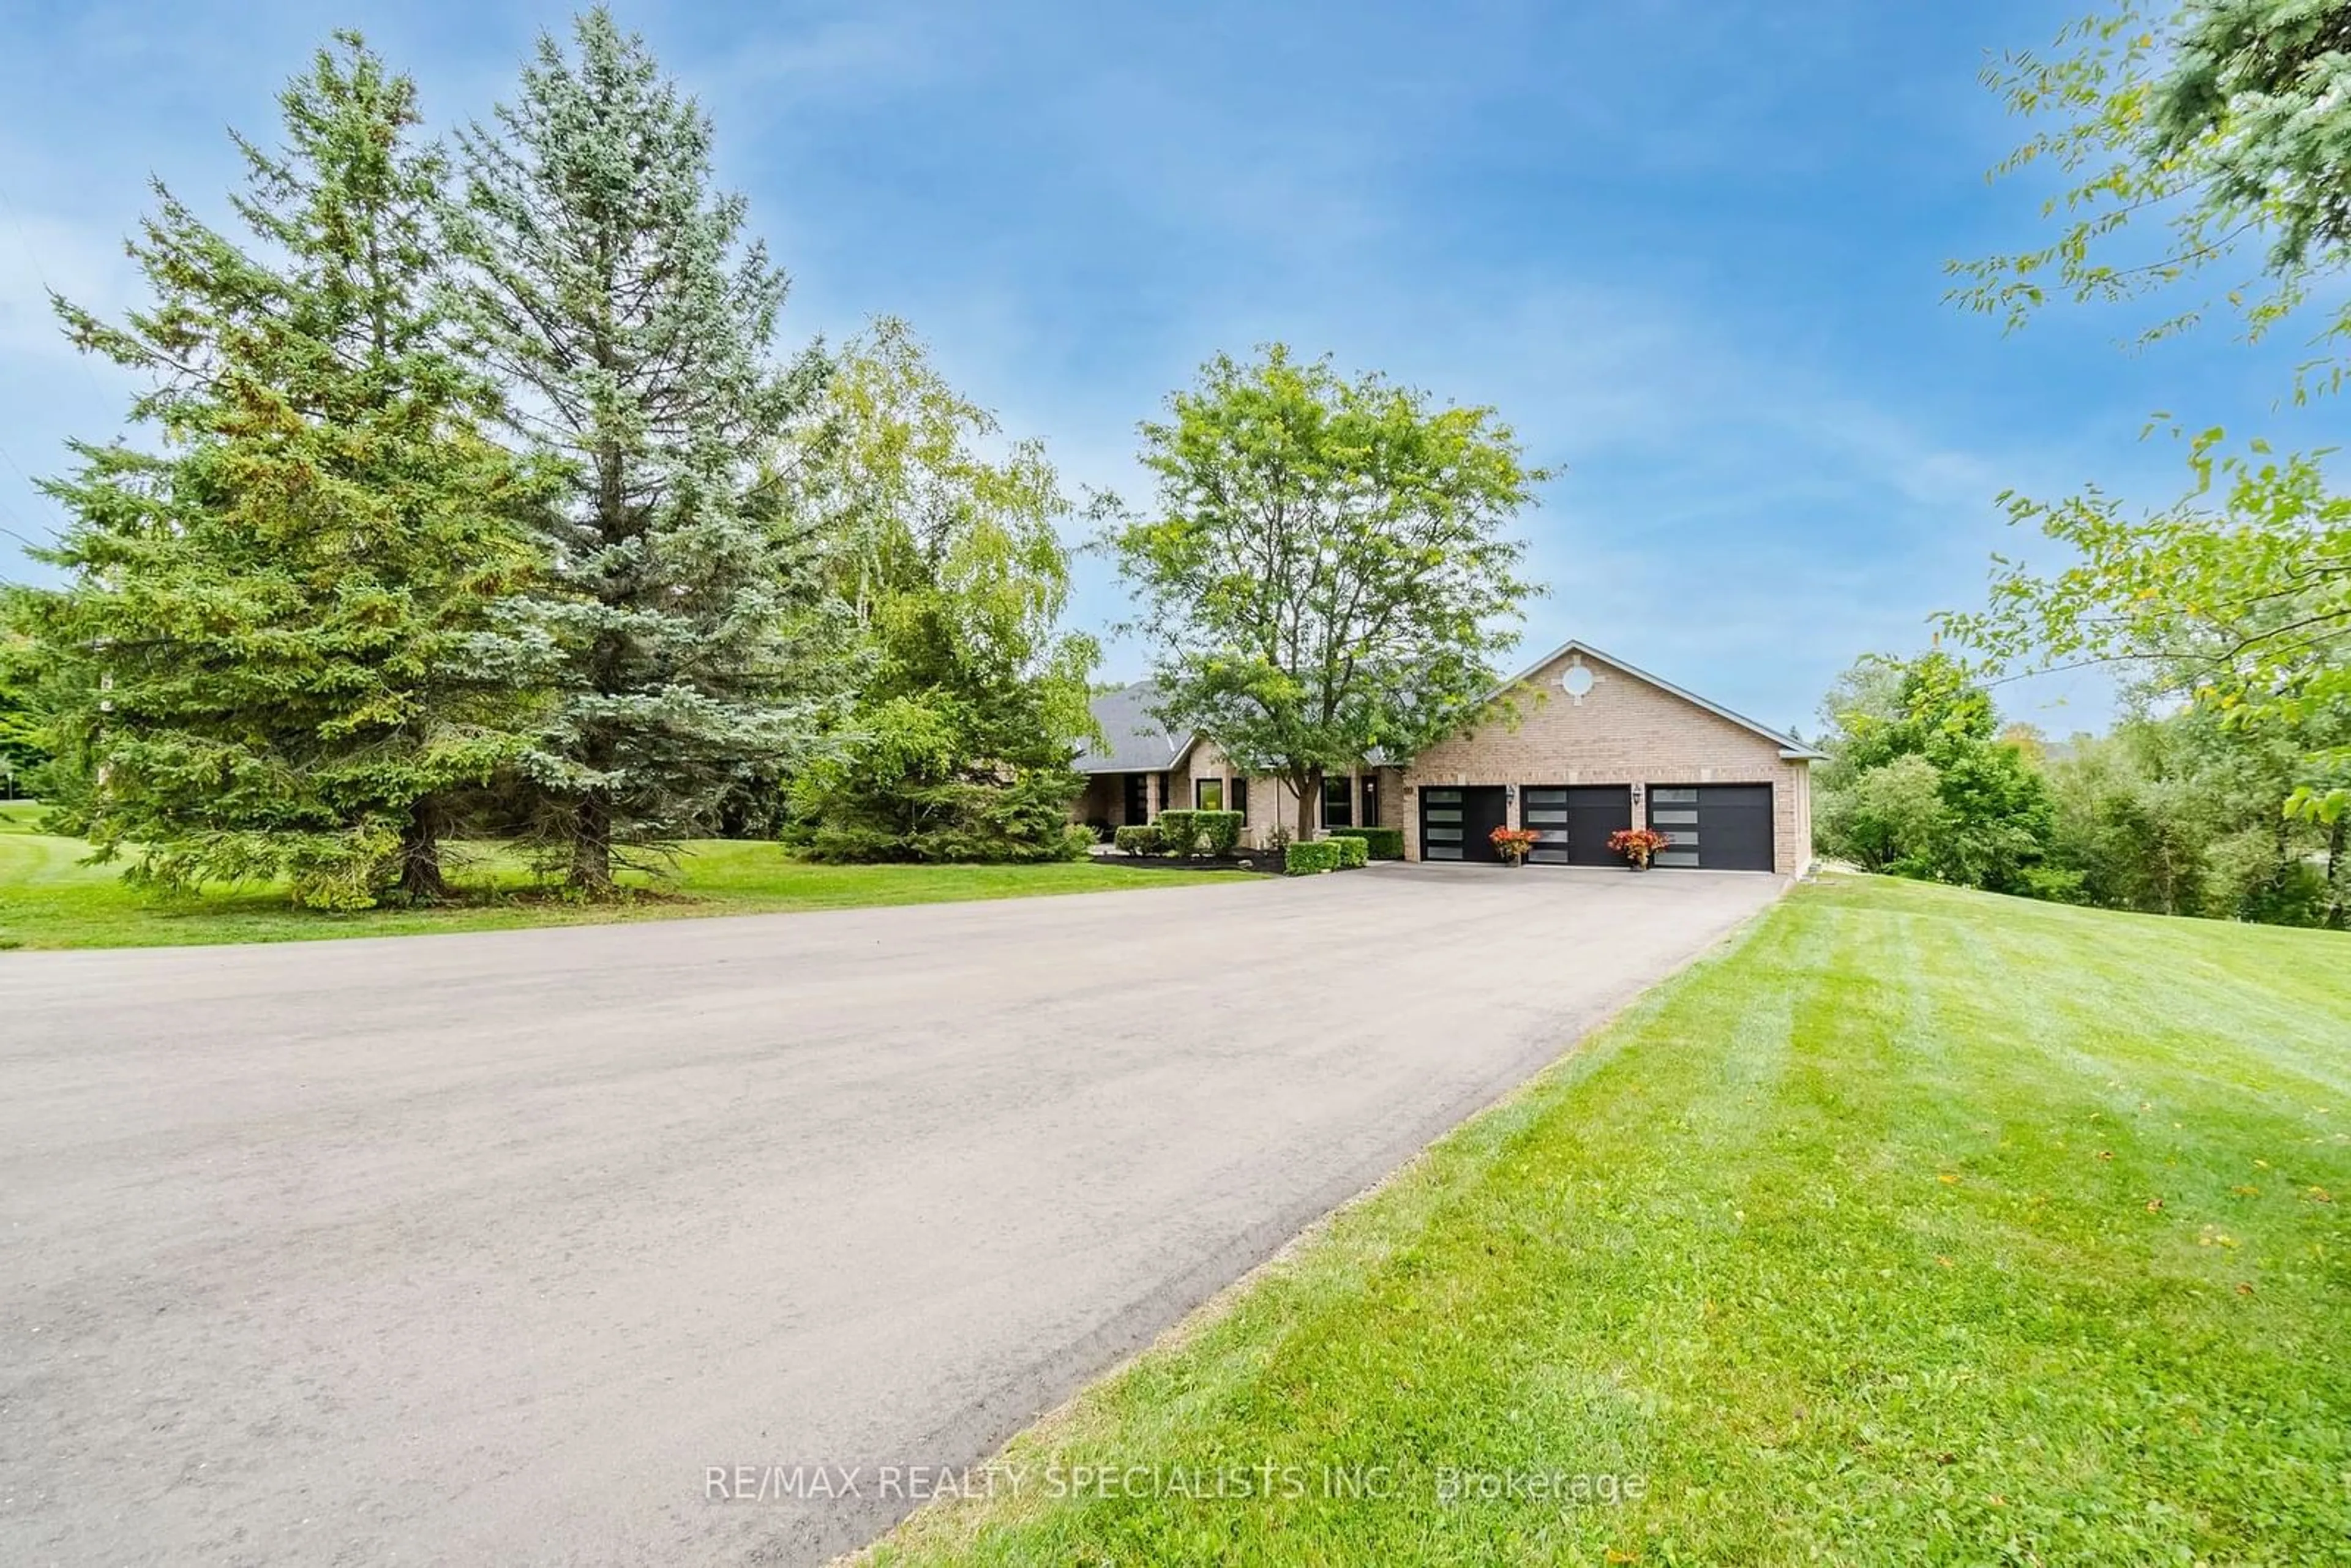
(627, 311)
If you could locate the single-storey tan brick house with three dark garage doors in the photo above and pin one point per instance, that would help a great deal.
(1574, 751)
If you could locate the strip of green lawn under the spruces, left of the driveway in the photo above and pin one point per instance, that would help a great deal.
(51, 899)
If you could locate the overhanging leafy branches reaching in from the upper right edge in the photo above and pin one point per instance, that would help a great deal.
(2228, 128)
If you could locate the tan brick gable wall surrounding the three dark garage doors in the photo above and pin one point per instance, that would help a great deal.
(1623, 732)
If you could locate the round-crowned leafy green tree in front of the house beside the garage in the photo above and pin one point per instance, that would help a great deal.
(1327, 570)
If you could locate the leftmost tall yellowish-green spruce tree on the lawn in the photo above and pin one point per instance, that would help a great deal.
(279, 615)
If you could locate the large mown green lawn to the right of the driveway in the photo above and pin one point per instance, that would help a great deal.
(1922, 1226)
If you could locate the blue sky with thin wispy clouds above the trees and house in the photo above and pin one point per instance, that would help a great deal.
(1692, 250)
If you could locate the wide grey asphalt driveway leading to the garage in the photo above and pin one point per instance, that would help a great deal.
(493, 1247)
